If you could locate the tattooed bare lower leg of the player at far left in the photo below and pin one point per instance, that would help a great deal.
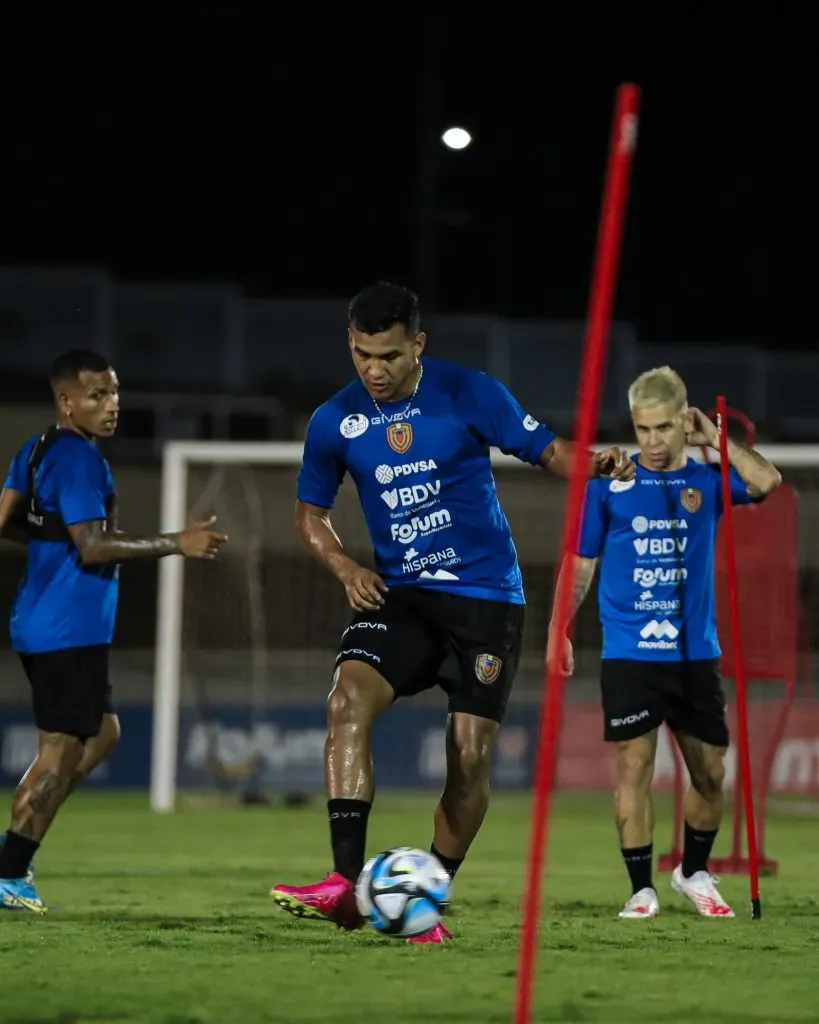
(46, 786)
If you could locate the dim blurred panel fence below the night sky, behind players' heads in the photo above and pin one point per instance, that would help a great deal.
(200, 339)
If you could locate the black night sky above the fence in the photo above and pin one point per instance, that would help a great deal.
(283, 153)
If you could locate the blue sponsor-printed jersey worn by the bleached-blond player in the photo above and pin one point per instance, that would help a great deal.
(656, 537)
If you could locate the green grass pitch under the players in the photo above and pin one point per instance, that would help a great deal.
(168, 920)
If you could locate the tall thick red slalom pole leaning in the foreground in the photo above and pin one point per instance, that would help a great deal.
(601, 303)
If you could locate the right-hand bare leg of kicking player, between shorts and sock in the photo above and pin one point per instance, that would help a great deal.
(466, 794)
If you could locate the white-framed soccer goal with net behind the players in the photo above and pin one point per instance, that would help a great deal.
(219, 638)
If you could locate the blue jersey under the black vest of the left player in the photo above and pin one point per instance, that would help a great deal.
(61, 603)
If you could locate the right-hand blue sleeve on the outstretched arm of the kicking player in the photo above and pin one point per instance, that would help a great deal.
(502, 422)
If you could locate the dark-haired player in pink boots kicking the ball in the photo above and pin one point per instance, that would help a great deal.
(445, 605)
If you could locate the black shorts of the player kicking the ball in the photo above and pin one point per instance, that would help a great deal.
(423, 638)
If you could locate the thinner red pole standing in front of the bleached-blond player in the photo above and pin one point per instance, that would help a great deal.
(740, 670)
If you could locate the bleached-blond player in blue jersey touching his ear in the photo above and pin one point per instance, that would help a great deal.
(655, 539)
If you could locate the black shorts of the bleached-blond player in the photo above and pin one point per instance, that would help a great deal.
(639, 697)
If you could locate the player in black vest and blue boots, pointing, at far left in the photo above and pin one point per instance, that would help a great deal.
(59, 499)
